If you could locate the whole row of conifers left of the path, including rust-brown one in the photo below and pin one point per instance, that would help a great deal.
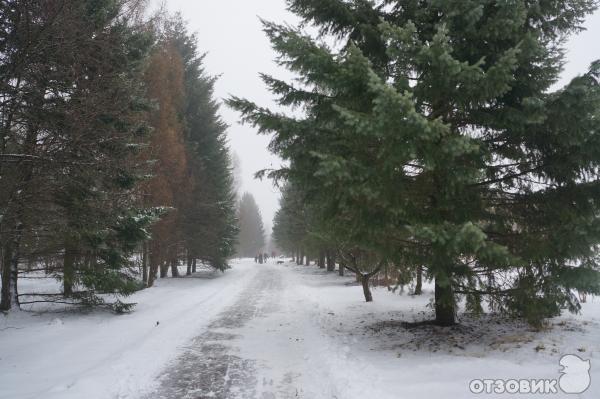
(111, 150)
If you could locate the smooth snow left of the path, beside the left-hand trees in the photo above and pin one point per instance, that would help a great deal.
(101, 355)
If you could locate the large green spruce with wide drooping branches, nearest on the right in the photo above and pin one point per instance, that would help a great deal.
(434, 136)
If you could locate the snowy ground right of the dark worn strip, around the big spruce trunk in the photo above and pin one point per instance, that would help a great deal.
(322, 341)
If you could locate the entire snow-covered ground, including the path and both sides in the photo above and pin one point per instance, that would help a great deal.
(285, 331)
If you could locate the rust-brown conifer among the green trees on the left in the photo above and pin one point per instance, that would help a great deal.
(166, 152)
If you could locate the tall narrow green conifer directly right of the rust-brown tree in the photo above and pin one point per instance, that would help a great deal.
(210, 217)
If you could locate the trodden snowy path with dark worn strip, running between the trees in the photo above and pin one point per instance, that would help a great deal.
(259, 347)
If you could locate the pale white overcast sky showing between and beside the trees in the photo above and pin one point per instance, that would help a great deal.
(231, 33)
